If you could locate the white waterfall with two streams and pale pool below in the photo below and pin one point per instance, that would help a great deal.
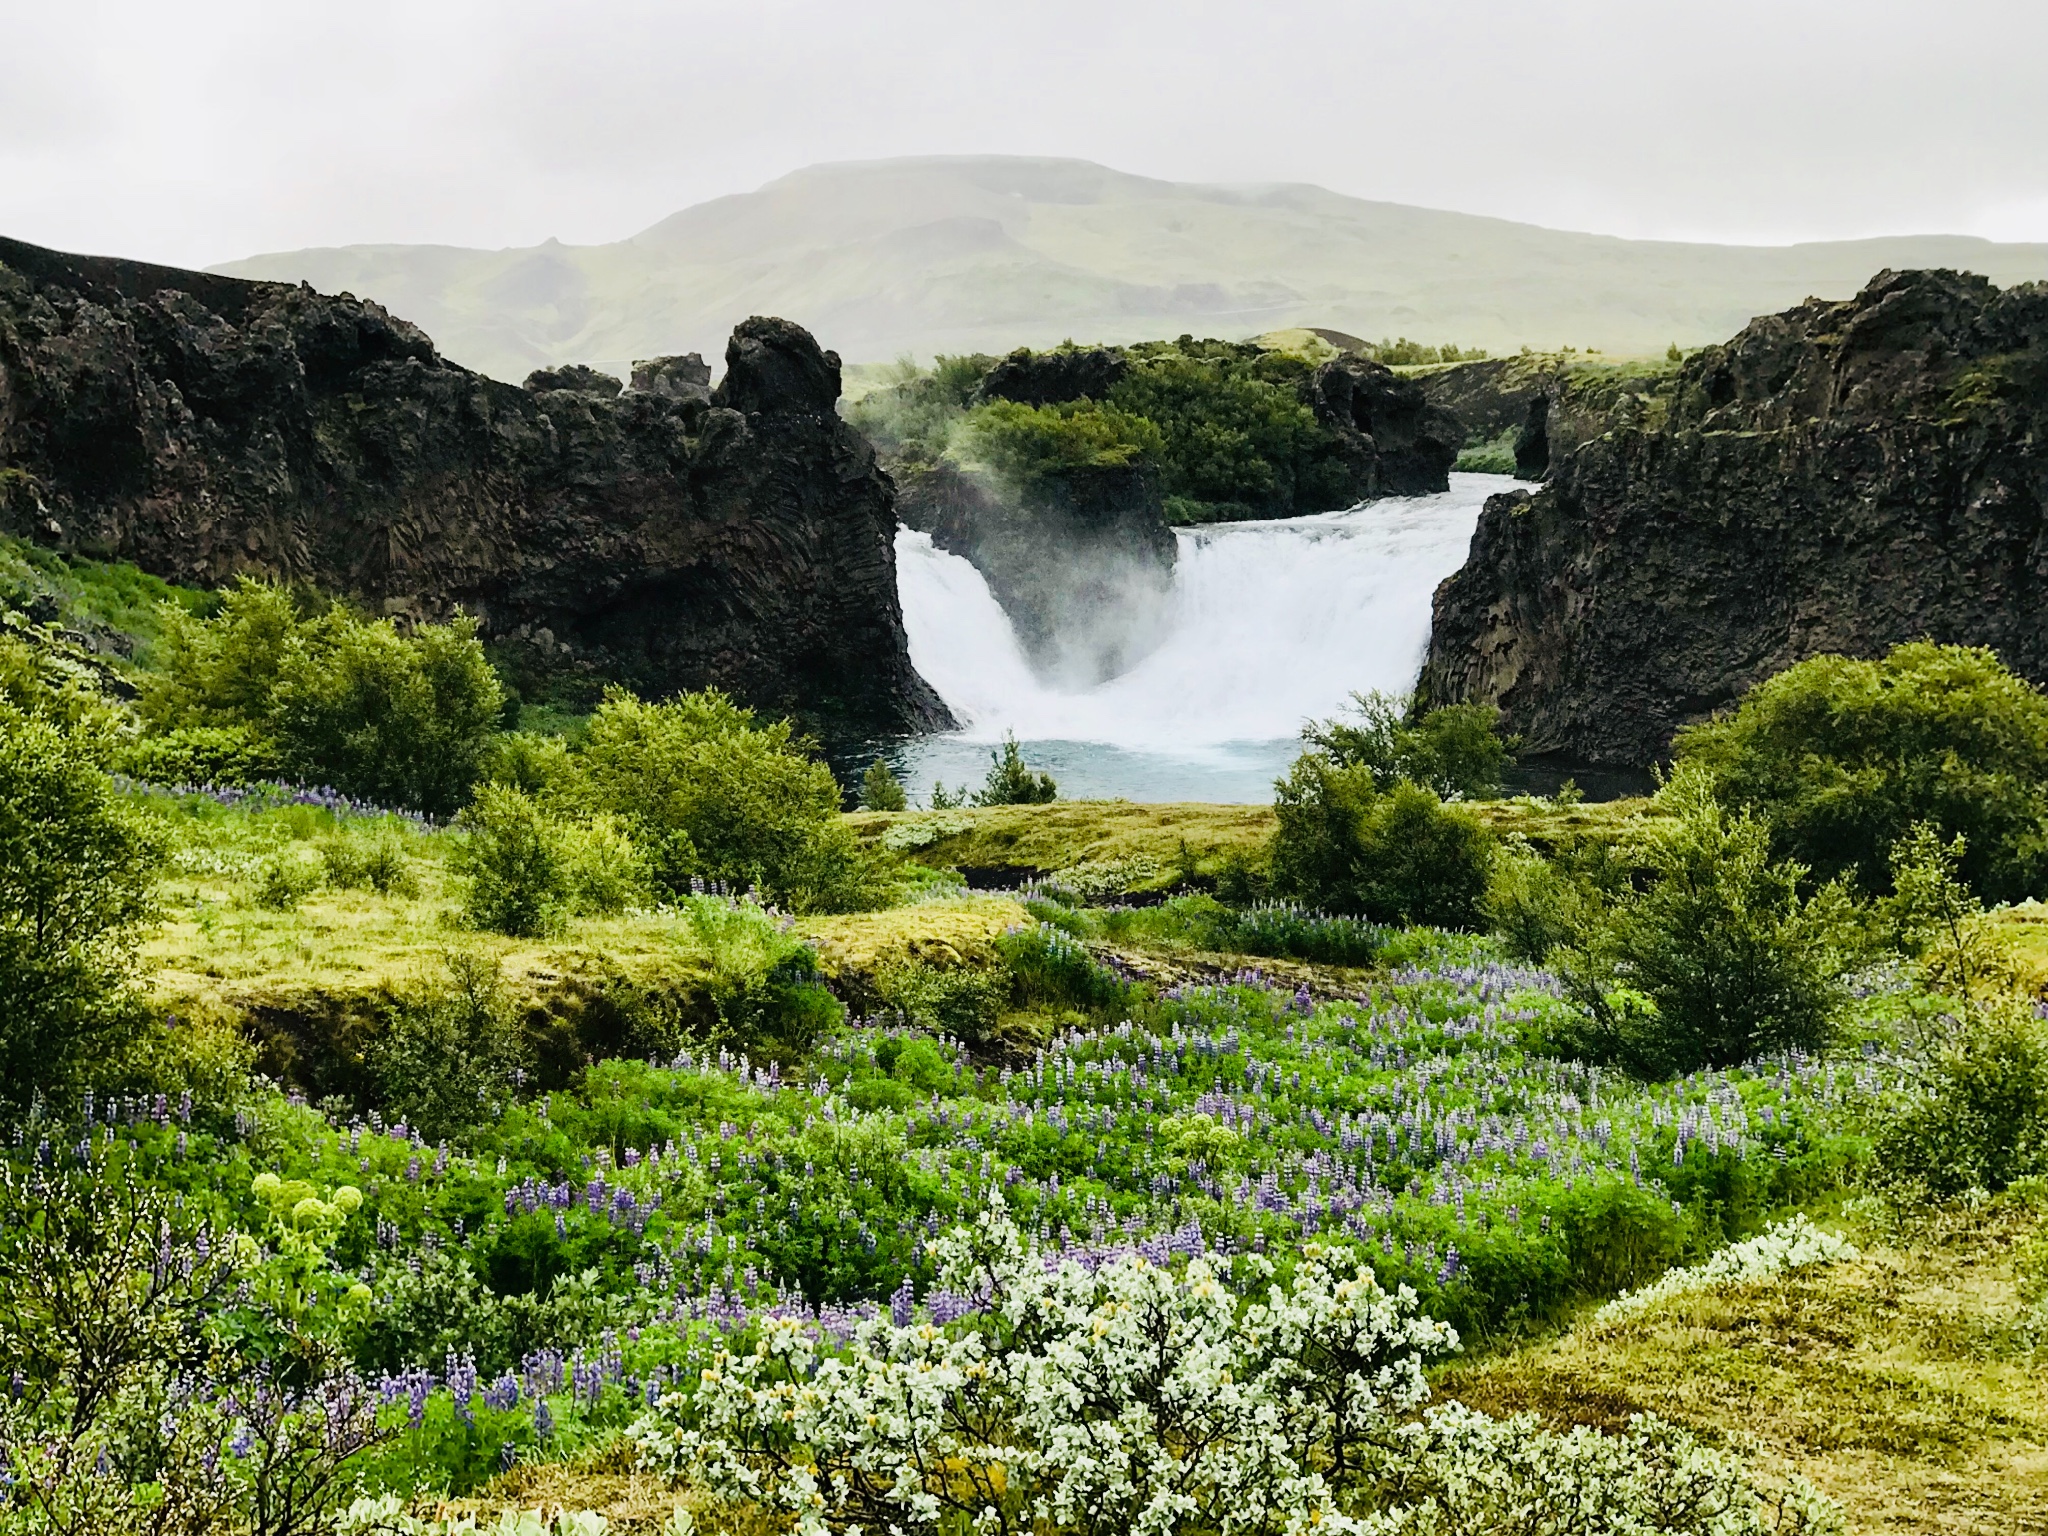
(1271, 624)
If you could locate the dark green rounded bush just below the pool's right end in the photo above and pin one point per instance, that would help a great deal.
(1398, 857)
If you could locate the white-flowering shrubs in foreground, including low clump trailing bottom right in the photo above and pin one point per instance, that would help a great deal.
(1162, 1402)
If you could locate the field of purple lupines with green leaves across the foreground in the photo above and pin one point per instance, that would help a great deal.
(531, 1293)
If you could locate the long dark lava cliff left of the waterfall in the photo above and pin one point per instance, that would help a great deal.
(206, 427)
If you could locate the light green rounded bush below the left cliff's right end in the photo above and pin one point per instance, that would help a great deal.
(716, 796)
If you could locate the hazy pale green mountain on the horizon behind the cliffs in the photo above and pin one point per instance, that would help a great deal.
(988, 253)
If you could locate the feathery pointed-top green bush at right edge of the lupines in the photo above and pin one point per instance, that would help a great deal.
(1719, 959)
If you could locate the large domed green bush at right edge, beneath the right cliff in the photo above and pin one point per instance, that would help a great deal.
(1842, 759)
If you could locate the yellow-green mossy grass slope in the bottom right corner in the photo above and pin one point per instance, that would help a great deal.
(1900, 1383)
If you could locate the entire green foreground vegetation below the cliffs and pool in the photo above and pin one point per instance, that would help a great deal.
(607, 1119)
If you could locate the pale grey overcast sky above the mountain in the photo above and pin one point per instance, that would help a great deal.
(212, 130)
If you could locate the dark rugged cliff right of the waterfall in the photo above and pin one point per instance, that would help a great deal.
(1838, 478)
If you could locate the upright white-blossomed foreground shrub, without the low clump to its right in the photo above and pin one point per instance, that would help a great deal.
(1125, 1400)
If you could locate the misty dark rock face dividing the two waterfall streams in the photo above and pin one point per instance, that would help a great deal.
(1082, 562)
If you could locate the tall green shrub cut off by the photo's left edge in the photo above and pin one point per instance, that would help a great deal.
(77, 876)
